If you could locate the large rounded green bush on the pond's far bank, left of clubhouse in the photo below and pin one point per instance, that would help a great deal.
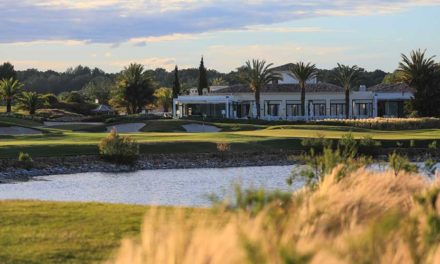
(119, 149)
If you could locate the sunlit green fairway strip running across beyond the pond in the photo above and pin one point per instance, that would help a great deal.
(271, 139)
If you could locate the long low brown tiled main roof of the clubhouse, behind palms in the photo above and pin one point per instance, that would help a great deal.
(282, 88)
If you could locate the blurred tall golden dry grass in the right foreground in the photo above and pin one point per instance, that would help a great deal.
(365, 217)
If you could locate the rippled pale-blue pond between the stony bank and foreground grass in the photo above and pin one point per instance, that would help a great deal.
(183, 187)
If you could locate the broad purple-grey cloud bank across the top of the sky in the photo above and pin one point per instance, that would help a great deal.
(144, 21)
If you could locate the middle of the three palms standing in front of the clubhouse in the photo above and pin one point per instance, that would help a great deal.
(303, 72)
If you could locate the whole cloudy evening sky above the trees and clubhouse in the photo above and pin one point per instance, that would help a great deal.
(110, 34)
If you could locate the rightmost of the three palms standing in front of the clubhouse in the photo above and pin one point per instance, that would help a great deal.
(346, 76)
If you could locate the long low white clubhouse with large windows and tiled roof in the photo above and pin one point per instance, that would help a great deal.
(281, 100)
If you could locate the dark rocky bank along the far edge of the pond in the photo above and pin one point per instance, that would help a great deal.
(12, 171)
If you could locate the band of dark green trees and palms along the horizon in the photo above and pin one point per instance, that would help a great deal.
(135, 87)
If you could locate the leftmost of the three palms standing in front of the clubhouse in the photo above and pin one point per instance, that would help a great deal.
(257, 75)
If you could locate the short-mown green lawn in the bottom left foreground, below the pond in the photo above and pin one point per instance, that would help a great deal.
(49, 232)
